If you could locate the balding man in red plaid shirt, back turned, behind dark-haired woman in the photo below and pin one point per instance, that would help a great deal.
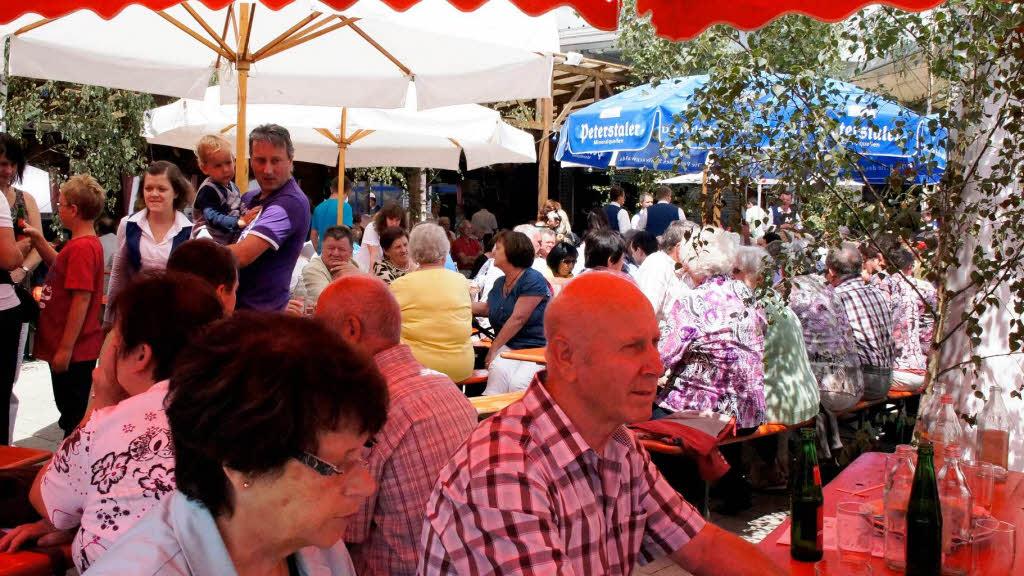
(429, 418)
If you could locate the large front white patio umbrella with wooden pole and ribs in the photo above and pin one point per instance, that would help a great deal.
(305, 54)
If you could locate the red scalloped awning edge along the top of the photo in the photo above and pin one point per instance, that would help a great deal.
(675, 20)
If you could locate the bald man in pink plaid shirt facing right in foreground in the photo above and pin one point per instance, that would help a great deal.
(556, 483)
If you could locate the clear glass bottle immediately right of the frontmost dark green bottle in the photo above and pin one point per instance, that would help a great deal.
(955, 498)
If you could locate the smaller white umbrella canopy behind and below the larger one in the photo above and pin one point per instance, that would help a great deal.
(431, 139)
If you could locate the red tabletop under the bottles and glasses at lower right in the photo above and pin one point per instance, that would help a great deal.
(863, 477)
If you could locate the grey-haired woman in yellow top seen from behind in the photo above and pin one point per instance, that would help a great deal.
(437, 318)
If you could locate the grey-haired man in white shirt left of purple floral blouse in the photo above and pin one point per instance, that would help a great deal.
(659, 278)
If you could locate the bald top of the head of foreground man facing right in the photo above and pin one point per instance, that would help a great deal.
(593, 304)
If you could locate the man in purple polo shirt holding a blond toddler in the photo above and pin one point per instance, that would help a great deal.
(270, 248)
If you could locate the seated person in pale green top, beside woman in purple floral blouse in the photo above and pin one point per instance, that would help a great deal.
(791, 391)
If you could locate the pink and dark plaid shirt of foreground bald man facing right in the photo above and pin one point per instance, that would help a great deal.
(527, 496)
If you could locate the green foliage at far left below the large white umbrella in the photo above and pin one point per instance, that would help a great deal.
(95, 131)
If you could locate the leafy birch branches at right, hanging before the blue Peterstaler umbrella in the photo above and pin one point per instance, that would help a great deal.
(970, 50)
